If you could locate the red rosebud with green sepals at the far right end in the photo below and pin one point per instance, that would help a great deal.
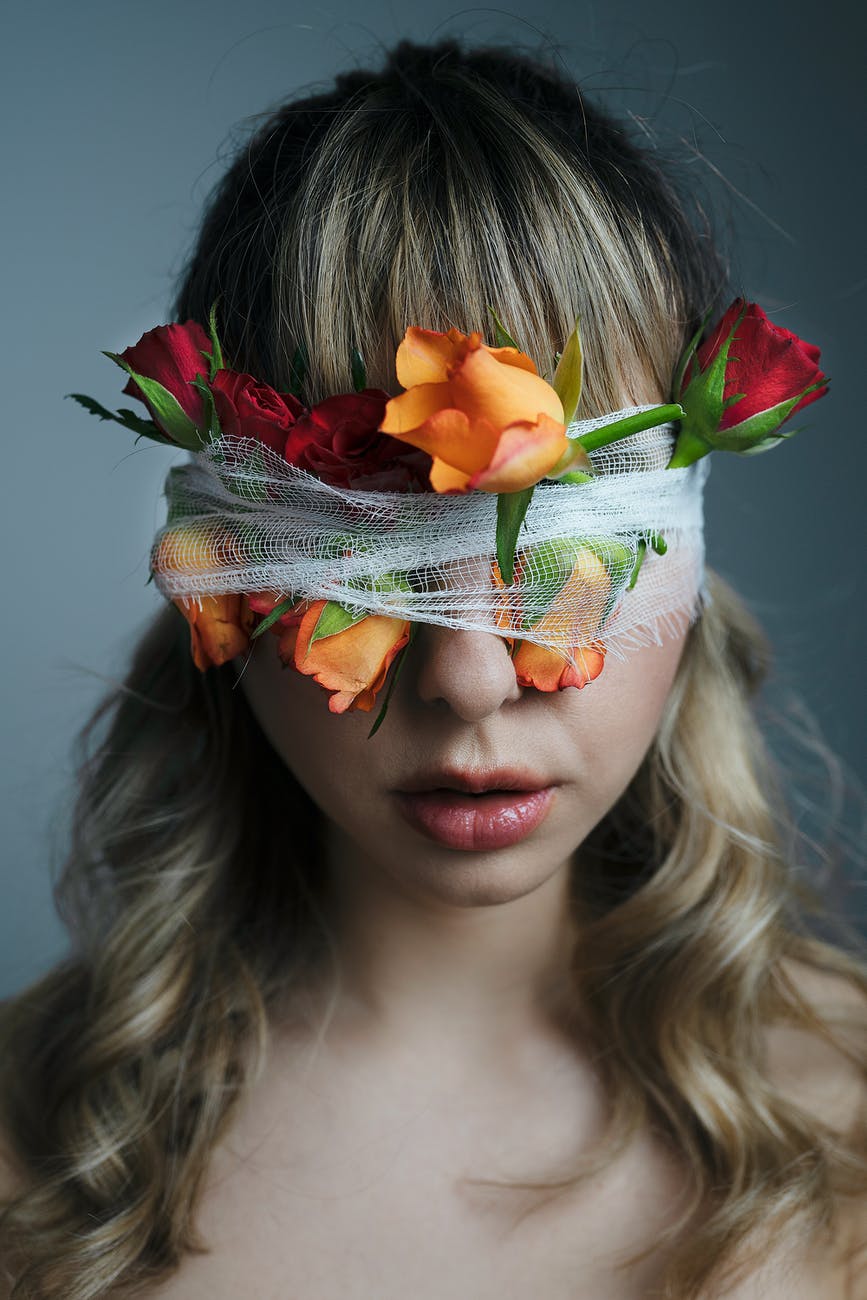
(743, 384)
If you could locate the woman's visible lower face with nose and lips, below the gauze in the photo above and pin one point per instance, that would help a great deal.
(474, 791)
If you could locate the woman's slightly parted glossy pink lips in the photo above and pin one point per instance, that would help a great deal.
(479, 812)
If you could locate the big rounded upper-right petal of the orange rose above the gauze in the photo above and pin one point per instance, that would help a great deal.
(502, 395)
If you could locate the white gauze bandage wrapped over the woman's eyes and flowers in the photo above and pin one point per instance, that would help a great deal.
(241, 519)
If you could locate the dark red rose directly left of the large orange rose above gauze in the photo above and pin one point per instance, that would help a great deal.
(340, 443)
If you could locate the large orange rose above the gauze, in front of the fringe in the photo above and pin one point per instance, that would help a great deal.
(484, 414)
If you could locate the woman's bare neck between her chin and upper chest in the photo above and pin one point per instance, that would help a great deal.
(426, 972)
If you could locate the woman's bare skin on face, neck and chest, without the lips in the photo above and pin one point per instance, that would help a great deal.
(439, 1059)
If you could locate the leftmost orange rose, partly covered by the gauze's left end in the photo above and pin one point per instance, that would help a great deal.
(220, 626)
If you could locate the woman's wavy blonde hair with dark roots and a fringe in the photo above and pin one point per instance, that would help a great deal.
(424, 194)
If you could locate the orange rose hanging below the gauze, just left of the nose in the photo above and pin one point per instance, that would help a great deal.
(353, 664)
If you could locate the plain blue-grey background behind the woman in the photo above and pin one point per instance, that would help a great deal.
(115, 118)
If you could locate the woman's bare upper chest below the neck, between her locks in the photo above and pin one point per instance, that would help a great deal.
(352, 1198)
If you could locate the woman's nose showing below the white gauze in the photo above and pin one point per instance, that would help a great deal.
(470, 673)
